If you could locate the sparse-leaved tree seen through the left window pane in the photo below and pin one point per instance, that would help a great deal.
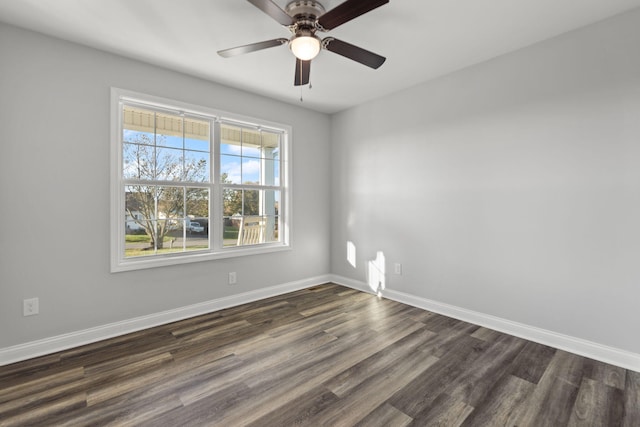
(159, 209)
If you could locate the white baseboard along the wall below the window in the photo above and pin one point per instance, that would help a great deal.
(57, 343)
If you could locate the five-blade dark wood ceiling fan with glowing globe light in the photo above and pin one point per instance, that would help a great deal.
(306, 17)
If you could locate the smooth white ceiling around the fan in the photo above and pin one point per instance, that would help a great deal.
(422, 39)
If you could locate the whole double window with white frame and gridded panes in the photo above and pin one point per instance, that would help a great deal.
(190, 183)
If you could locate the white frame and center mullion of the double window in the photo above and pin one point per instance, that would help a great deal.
(216, 249)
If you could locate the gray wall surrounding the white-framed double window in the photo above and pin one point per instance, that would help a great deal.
(54, 191)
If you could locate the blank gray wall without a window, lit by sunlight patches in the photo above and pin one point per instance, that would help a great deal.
(511, 188)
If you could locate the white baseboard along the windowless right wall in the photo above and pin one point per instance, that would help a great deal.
(592, 350)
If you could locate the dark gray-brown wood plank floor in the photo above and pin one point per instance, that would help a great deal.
(328, 355)
